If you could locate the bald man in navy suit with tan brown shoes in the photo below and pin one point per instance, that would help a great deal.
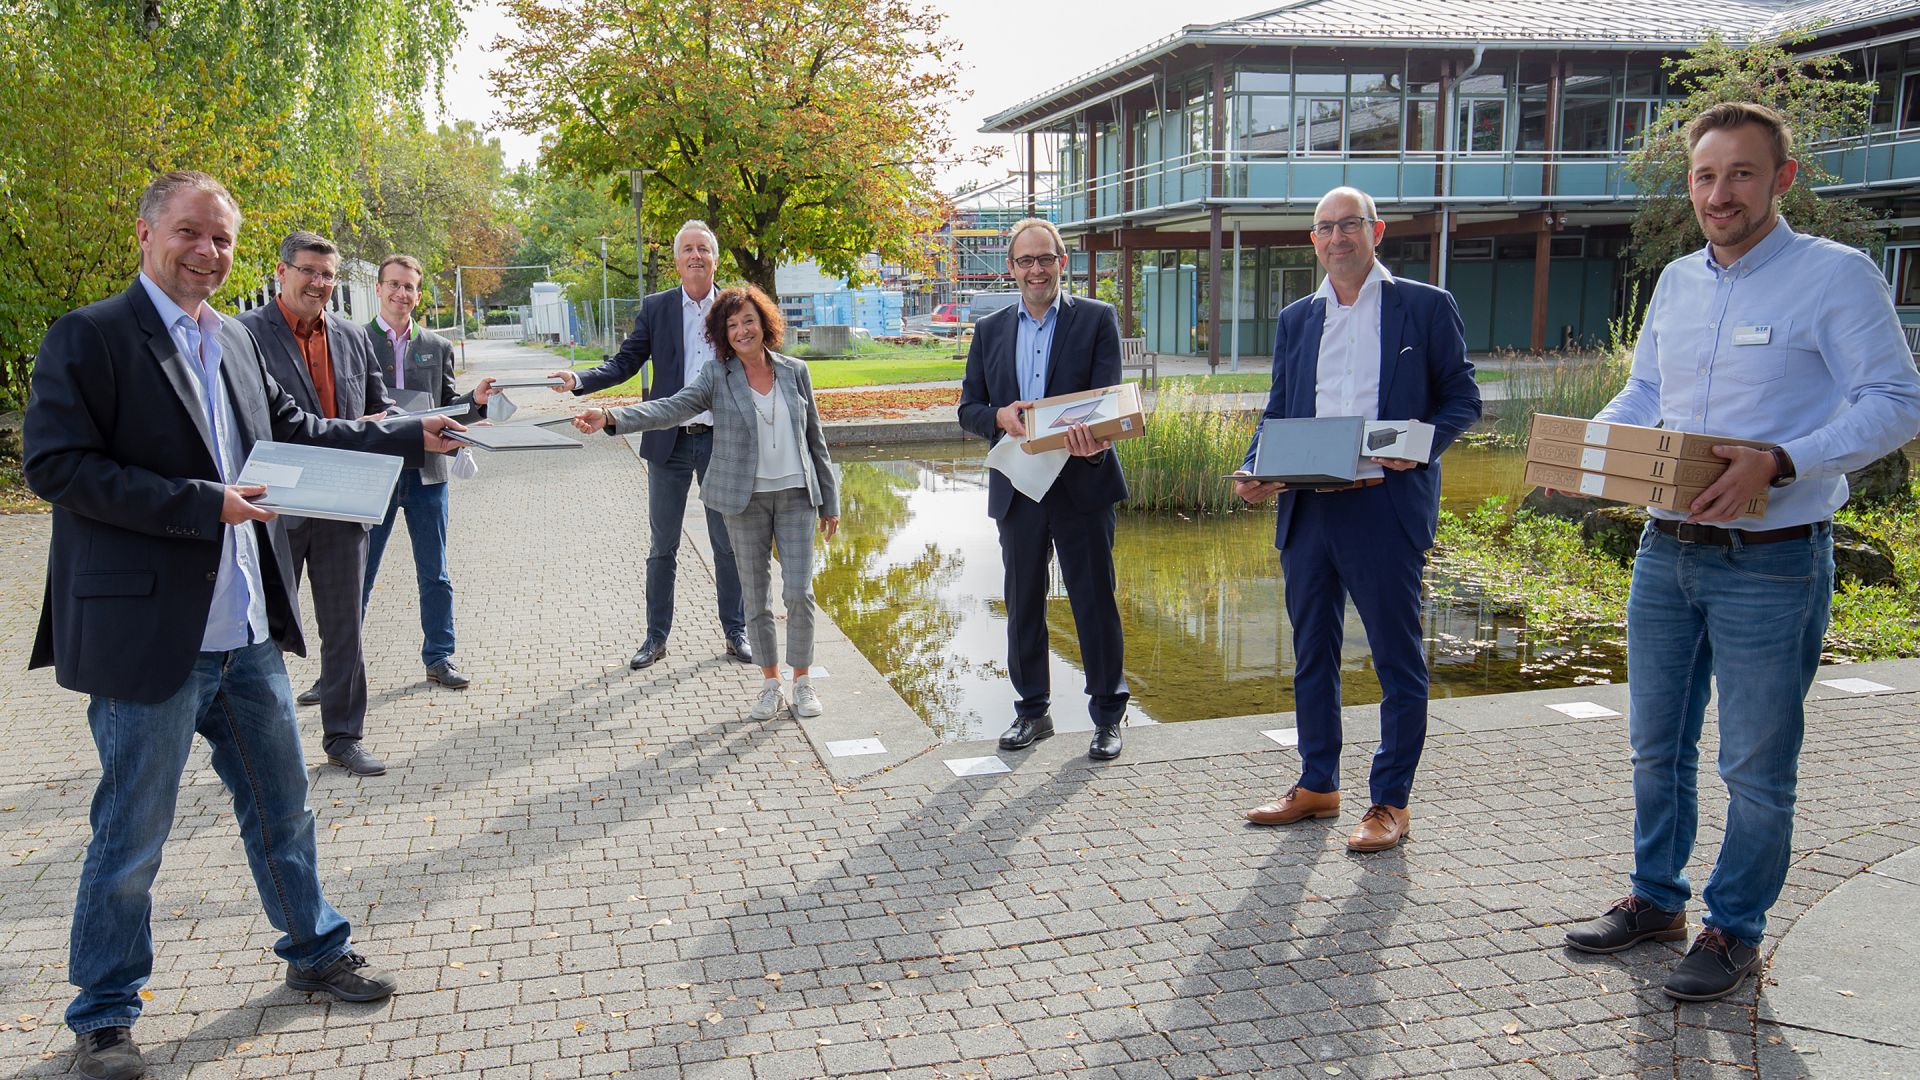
(1381, 349)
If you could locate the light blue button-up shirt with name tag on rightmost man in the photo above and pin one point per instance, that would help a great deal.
(1796, 345)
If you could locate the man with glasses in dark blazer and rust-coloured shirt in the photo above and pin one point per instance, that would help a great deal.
(325, 364)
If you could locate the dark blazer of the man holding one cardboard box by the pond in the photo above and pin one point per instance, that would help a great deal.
(1086, 356)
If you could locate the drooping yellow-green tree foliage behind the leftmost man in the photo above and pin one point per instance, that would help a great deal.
(270, 97)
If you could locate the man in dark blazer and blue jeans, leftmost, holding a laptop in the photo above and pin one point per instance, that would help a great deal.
(170, 599)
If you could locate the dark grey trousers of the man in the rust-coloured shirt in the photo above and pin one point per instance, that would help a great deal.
(333, 556)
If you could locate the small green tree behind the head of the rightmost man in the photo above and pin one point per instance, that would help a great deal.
(1815, 93)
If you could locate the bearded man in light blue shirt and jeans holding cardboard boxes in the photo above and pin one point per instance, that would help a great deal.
(1777, 337)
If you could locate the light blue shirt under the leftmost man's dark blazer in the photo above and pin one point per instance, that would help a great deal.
(239, 612)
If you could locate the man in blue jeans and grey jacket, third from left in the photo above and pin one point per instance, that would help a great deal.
(414, 358)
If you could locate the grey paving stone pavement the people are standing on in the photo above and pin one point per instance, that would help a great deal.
(587, 871)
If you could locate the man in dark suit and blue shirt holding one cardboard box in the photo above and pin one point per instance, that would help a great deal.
(1051, 345)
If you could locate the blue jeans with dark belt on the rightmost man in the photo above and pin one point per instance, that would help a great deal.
(1748, 620)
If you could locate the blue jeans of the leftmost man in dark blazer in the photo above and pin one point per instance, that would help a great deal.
(243, 706)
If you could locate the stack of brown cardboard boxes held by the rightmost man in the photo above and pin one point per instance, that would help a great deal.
(1643, 466)
